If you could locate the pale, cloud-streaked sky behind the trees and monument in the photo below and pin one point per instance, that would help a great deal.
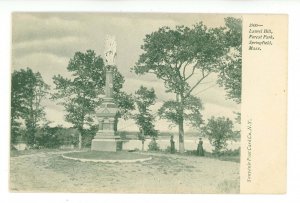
(45, 42)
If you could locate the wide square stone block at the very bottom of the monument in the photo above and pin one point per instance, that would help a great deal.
(106, 144)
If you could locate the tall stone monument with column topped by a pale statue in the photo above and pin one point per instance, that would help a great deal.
(106, 138)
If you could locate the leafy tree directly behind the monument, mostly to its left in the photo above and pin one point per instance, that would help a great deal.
(81, 94)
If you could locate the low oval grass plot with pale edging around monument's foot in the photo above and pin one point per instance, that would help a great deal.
(97, 155)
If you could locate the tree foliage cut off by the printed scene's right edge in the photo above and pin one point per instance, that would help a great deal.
(230, 74)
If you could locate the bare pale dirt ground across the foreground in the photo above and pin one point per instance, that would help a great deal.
(49, 172)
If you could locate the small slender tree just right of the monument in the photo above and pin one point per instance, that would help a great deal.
(144, 98)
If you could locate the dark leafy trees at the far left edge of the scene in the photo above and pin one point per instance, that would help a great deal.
(27, 92)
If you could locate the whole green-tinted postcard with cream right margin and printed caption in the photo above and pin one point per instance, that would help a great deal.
(148, 103)
